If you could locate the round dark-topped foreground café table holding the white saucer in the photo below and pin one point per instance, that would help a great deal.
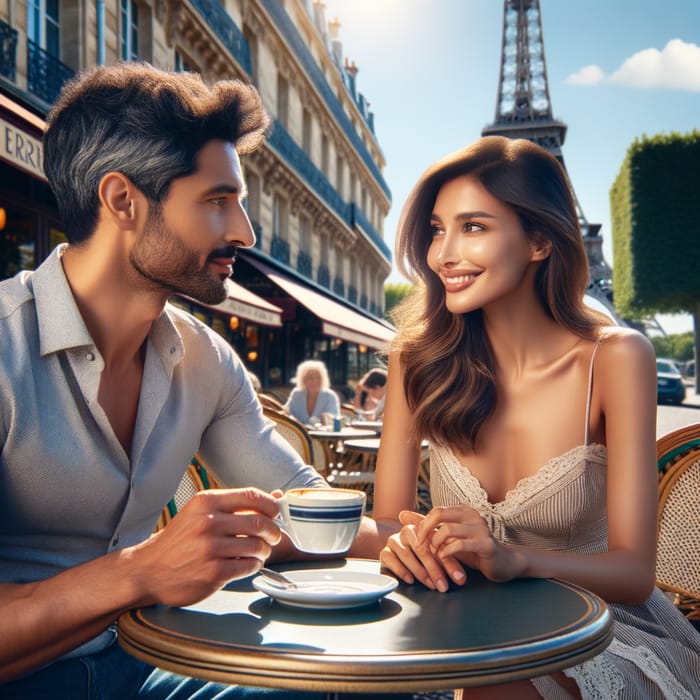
(413, 639)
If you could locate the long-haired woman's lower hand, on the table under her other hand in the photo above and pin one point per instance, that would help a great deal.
(413, 561)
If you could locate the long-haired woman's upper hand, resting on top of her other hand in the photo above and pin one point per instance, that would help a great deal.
(460, 534)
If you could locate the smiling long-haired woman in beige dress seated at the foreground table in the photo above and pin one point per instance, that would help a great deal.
(540, 414)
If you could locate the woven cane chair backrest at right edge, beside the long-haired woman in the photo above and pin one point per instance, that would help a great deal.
(678, 527)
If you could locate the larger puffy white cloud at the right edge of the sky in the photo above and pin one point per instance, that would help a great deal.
(677, 67)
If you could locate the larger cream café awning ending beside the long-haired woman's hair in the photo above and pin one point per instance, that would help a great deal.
(337, 320)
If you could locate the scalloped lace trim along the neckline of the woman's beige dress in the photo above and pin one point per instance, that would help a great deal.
(465, 484)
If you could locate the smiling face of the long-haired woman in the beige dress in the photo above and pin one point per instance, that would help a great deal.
(479, 249)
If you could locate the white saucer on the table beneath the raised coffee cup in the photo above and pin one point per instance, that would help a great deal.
(328, 588)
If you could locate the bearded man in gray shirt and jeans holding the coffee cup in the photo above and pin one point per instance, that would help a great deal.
(106, 392)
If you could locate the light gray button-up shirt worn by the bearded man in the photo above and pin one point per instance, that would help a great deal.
(68, 491)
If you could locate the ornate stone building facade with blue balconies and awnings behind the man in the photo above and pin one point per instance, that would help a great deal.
(313, 284)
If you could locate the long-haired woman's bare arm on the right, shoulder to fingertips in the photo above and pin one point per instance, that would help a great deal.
(625, 384)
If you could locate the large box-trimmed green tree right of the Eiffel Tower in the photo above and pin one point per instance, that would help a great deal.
(655, 211)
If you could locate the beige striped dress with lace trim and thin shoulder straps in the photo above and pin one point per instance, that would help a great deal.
(656, 651)
